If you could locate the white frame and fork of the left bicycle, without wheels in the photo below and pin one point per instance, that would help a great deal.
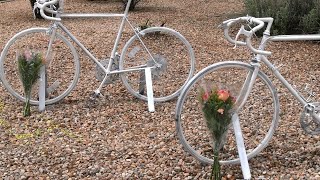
(124, 19)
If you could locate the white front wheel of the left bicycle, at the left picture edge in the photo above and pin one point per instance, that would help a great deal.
(62, 64)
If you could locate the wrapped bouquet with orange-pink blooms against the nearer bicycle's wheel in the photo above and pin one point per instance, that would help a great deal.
(217, 105)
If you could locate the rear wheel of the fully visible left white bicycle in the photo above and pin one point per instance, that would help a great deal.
(165, 49)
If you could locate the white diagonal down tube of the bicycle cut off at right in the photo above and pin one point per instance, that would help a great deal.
(284, 81)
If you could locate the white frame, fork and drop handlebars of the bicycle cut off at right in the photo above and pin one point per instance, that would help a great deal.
(309, 106)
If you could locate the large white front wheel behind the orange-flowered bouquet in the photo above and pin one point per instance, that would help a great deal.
(258, 117)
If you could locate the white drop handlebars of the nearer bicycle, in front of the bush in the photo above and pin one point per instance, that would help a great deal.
(228, 23)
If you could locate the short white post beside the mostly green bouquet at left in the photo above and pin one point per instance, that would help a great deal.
(42, 89)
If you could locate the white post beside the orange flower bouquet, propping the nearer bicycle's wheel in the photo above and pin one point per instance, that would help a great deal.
(241, 148)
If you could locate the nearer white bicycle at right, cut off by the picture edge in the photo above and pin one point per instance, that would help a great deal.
(257, 100)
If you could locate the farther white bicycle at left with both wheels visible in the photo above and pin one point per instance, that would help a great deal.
(165, 51)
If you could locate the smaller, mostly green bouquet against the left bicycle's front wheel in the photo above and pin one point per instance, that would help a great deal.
(29, 64)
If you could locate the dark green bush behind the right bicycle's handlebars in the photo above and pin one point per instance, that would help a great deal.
(290, 16)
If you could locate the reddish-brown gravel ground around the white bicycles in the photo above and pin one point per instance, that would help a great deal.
(118, 138)
